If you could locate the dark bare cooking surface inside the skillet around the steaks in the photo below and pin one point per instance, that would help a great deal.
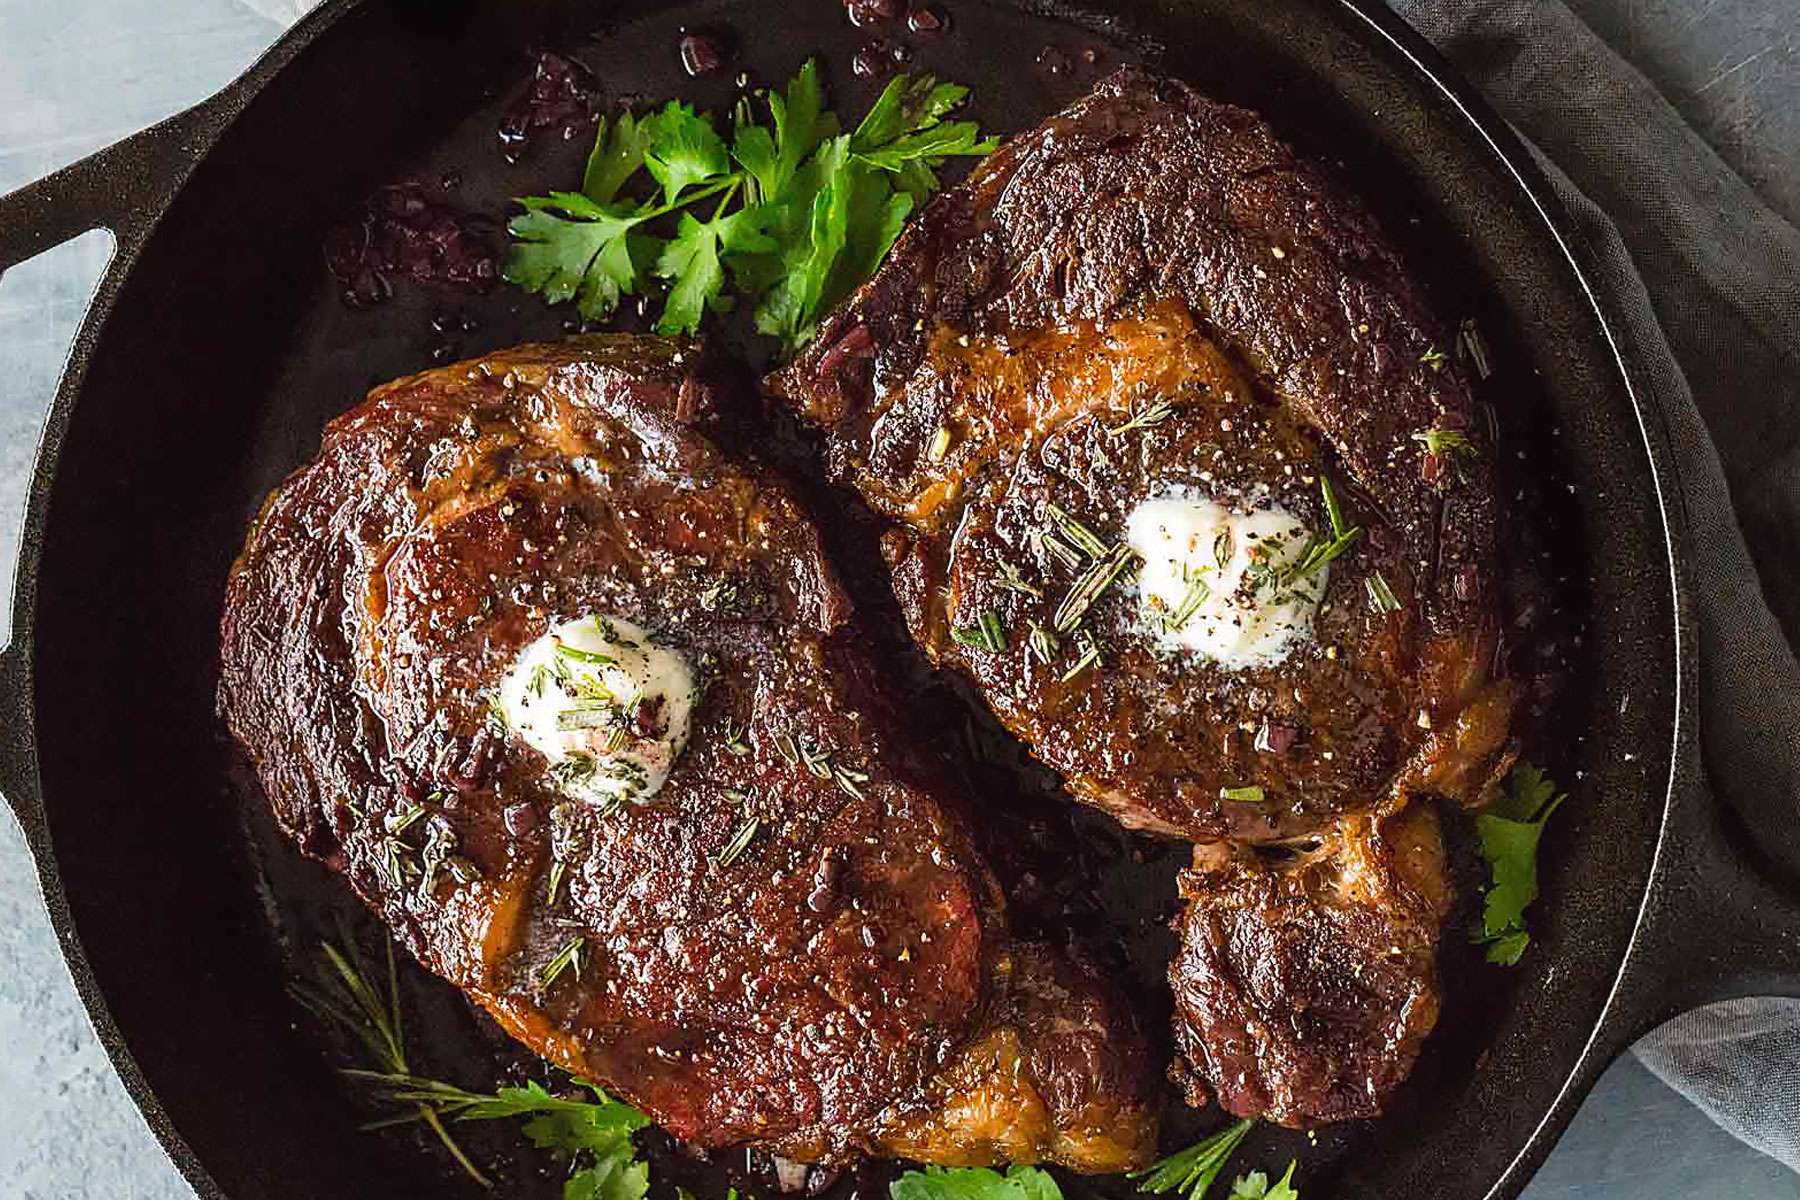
(231, 348)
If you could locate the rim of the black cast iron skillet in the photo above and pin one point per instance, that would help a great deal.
(188, 138)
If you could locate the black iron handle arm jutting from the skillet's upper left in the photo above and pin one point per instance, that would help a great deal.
(121, 190)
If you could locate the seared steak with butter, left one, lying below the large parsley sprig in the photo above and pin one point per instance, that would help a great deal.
(715, 895)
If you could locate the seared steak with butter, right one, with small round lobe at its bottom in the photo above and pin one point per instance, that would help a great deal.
(1187, 479)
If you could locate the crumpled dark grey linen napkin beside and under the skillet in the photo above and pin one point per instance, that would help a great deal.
(1711, 280)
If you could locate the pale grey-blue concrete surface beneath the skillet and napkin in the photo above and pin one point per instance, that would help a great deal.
(78, 75)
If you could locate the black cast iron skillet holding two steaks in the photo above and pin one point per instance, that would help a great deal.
(217, 348)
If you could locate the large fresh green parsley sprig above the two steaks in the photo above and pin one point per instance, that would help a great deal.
(791, 215)
